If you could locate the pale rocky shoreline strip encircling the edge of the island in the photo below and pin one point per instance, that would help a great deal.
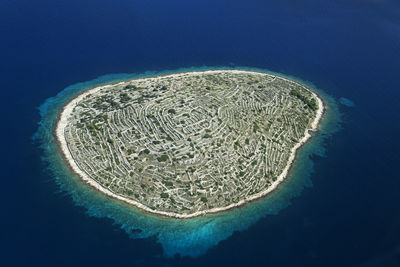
(67, 156)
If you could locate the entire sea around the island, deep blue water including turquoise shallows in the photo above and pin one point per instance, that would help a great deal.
(341, 203)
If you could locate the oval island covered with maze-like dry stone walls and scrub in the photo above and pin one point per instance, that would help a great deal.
(188, 144)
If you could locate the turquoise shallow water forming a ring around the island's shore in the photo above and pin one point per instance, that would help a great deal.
(190, 237)
